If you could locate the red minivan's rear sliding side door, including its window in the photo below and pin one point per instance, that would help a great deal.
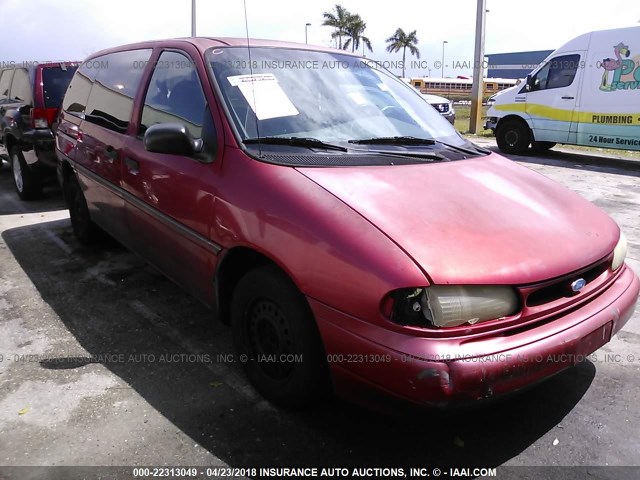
(103, 132)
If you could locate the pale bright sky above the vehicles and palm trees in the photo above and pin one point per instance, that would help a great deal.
(73, 29)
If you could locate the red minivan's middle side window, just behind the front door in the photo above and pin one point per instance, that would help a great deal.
(112, 94)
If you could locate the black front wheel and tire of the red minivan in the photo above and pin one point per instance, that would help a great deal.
(270, 317)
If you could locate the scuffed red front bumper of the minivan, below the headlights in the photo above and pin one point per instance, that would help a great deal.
(366, 358)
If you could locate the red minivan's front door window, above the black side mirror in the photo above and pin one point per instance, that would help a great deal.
(174, 94)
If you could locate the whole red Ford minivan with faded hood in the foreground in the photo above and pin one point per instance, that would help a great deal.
(350, 236)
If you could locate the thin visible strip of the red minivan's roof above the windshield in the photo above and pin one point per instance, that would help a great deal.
(204, 43)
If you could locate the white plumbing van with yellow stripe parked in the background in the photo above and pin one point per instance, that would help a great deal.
(587, 92)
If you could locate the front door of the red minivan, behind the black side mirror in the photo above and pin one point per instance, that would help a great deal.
(170, 198)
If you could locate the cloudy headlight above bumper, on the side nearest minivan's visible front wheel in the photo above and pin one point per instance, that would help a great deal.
(450, 306)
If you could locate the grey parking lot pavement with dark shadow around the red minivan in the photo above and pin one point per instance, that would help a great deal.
(106, 362)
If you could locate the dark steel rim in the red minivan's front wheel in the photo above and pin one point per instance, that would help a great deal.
(271, 338)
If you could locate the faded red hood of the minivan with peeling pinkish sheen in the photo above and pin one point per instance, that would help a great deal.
(485, 220)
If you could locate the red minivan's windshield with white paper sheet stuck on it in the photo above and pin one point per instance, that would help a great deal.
(327, 97)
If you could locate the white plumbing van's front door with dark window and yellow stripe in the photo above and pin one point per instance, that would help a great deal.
(551, 102)
